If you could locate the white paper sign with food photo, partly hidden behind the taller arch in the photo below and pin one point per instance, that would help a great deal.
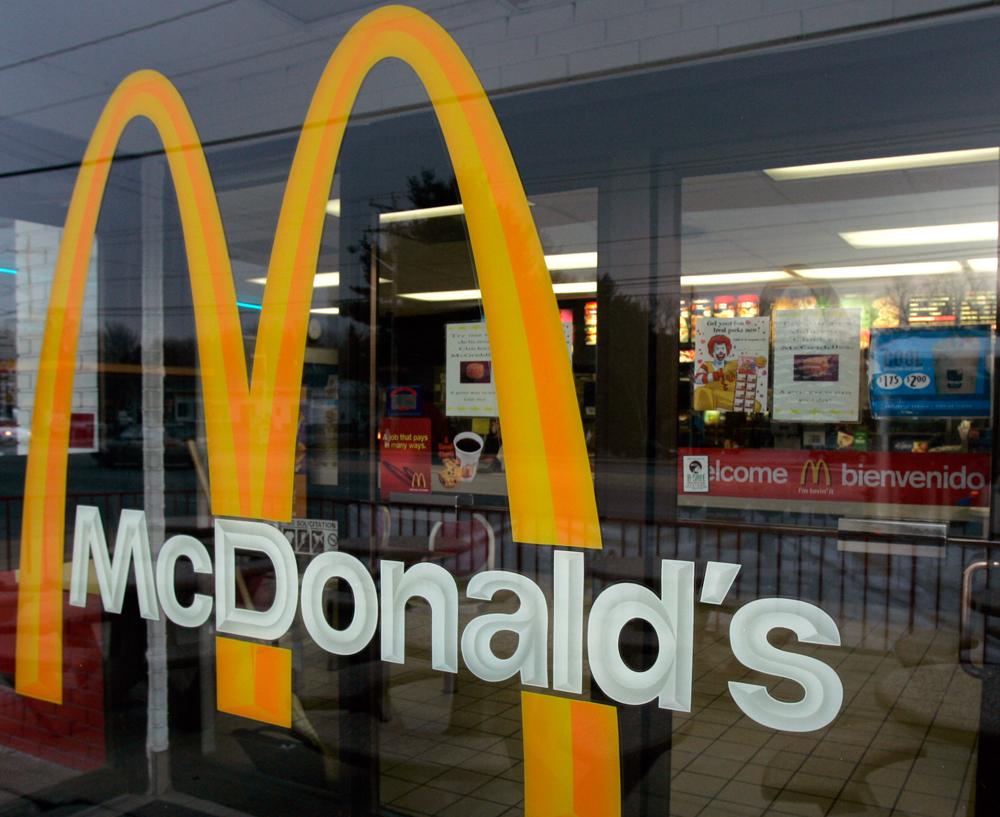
(469, 389)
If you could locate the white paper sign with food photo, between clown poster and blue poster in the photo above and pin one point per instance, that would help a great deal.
(816, 365)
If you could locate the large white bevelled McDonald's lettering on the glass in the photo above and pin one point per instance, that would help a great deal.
(667, 680)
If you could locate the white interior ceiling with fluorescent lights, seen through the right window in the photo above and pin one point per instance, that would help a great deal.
(748, 221)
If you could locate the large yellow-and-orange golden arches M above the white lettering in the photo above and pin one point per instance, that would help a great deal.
(251, 427)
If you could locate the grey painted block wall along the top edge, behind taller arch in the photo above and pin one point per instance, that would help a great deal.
(522, 43)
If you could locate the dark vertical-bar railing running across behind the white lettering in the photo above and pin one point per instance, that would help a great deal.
(881, 591)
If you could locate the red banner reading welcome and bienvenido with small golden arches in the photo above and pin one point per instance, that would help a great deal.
(842, 476)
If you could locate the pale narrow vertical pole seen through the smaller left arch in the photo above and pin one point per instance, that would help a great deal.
(157, 733)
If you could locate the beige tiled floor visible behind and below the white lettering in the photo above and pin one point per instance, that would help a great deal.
(903, 744)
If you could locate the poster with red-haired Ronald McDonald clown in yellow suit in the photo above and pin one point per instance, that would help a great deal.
(730, 364)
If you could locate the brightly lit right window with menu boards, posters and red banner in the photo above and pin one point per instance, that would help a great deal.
(836, 334)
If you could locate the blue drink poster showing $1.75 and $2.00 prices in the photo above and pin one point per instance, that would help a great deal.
(930, 372)
